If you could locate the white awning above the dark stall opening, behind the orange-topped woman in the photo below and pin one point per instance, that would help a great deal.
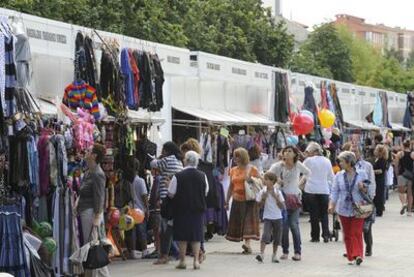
(227, 117)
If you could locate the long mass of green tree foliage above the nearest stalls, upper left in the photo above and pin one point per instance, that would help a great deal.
(240, 29)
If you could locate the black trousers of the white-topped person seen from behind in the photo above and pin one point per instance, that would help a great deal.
(318, 208)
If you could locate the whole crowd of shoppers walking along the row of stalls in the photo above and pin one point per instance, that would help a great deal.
(184, 191)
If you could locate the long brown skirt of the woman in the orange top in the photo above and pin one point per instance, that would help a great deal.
(244, 221)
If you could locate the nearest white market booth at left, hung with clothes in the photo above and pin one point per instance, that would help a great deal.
(62, 134)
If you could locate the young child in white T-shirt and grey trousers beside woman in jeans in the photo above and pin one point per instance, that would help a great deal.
(272, 199)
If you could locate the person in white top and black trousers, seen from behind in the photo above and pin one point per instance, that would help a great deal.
(317, 188)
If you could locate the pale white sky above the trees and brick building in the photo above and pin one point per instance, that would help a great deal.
(392, 13)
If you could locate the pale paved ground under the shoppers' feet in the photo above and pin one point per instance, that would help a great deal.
(393, 255)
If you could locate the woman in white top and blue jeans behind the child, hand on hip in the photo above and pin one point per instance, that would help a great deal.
(292, 175)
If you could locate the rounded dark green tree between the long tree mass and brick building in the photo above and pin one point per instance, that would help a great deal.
(325, 55)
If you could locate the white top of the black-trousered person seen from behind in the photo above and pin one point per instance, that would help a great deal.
(321, 175)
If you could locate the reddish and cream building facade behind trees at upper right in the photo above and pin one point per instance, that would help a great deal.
(379, 35)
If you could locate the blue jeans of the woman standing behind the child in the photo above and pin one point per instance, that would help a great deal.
(291, 223)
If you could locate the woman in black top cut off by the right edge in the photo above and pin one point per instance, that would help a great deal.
(405, 177)
